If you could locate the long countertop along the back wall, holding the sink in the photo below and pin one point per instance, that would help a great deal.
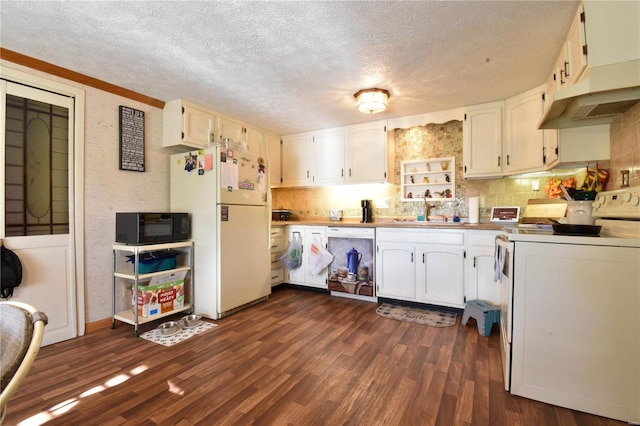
(389, 222)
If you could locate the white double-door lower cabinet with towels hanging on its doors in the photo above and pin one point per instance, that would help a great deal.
(302, 275)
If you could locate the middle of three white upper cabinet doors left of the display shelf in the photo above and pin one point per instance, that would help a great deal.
(328, 156)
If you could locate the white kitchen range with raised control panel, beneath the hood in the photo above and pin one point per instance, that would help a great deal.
(570, 323)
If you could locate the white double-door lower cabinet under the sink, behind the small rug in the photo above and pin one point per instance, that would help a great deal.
(421, 265)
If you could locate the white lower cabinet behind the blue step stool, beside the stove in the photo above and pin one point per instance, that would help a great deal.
(479, 270)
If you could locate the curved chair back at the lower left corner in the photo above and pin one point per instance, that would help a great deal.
(21, 331)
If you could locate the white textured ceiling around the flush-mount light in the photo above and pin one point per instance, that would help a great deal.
(290, 67)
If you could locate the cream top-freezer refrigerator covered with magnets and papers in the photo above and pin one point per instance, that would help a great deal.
(226, 193)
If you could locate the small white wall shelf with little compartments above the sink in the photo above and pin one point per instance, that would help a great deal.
(433, 179)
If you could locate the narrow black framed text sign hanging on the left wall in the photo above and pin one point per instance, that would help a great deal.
(131, 139)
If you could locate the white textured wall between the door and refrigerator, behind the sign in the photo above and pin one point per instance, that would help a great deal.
(108, 189)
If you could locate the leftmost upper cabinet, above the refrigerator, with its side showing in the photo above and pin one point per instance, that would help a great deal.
(187, 125)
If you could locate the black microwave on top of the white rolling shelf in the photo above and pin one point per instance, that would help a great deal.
(151, 228)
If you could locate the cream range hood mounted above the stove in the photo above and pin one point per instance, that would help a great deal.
(607, 91)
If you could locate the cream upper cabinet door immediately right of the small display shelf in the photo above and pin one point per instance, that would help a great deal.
(482, 140)
